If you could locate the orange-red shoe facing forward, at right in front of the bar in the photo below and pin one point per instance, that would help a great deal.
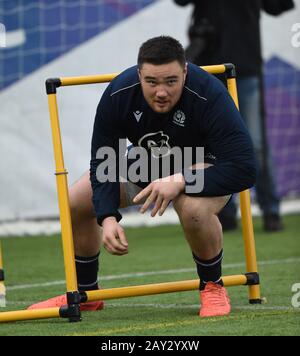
(214, 301)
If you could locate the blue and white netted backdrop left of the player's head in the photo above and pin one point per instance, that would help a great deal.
(57, 39)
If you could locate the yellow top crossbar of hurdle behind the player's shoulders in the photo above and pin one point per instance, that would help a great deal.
(104, 78)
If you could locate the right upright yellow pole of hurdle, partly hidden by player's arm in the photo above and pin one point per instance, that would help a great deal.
(247, 223)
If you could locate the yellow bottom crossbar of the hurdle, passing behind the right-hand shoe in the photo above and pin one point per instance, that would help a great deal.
(159, 288)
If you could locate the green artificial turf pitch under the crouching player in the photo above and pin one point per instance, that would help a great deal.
(34, 271)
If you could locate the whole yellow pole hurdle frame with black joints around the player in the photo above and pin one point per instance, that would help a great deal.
(74, 297)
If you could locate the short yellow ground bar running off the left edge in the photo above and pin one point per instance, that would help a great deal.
(19, 315)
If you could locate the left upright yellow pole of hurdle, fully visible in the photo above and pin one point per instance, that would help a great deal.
(63, 197)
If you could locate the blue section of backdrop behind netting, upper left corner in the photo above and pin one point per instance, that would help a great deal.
(40, 31)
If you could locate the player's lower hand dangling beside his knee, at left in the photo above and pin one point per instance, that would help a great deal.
(113, 237)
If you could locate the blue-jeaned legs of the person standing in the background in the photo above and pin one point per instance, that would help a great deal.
(266, 192)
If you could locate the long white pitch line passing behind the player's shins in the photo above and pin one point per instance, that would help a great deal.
(152, 273)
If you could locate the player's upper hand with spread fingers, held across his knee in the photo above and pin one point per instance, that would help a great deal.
(161, 192)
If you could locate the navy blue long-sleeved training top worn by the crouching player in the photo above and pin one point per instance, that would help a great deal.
(205, 116)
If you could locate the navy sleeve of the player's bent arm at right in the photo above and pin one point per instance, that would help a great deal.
(235, 168)
